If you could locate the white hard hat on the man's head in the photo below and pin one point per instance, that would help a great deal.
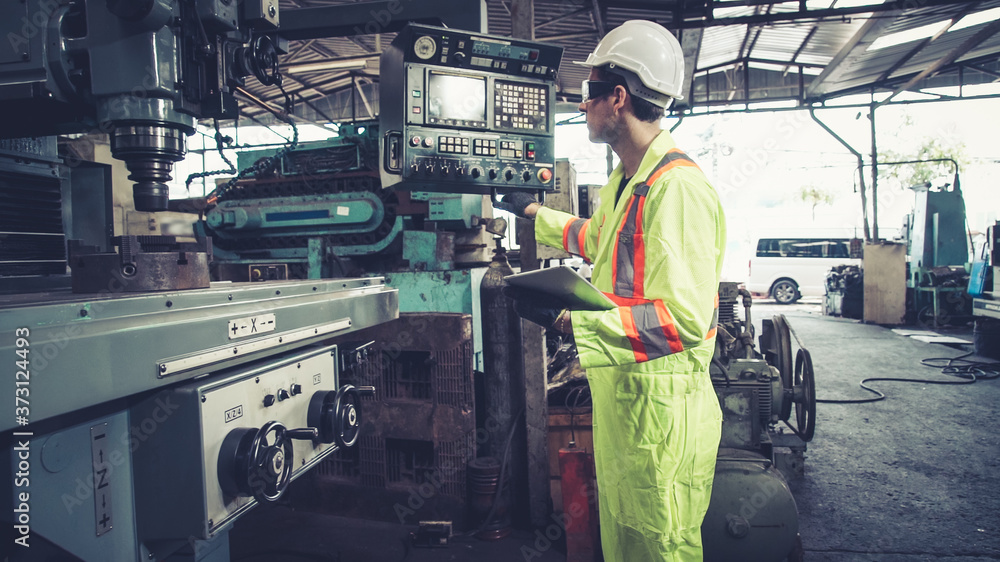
(650, 53)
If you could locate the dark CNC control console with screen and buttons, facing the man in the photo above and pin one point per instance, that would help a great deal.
(467, 113)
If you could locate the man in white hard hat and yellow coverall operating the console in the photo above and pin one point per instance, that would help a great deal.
(656, 242)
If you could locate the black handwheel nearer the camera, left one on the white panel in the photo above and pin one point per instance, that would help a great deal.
(252, 464)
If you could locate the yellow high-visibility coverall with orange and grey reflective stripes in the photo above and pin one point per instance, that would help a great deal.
(657, 422)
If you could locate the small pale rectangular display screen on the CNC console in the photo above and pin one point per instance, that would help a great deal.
(456, 100)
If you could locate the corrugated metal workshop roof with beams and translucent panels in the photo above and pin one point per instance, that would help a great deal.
(749, 49)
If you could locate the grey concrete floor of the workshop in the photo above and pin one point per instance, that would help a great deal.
(915, 477)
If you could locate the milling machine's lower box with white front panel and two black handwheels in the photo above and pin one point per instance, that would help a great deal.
(255, 431)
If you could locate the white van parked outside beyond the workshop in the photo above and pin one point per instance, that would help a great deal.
(787, 268)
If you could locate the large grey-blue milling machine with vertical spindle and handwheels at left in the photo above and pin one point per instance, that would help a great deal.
(149, 407)
